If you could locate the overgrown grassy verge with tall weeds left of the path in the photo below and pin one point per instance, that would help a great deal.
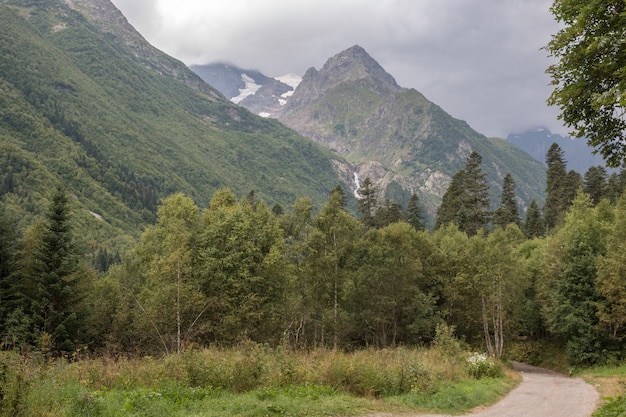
(252, 381)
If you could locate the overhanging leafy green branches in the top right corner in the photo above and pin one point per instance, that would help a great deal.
(589, 76)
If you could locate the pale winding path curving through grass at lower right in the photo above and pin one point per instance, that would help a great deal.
(543, 393)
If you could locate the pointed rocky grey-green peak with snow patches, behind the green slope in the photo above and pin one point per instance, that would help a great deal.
(394, 135)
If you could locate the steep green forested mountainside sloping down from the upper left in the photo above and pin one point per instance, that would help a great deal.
(79, 106)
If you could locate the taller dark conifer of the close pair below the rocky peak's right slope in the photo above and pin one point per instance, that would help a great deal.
(478, 214)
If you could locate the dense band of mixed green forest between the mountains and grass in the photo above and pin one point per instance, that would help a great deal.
(239, 270)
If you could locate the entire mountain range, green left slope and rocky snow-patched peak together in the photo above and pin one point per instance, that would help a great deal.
(86, 102)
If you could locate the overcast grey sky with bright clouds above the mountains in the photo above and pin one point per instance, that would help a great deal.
(480, 60)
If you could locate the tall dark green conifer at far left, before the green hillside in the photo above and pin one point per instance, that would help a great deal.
(57, 296)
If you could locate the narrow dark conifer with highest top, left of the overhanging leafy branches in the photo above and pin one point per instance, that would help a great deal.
(558, 193)
